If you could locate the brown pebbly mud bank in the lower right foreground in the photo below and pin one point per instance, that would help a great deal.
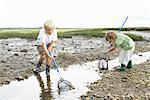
(133, 84)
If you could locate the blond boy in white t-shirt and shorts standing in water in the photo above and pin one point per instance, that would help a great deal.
(46, 41)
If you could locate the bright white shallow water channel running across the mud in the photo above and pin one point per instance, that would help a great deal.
(40, 87)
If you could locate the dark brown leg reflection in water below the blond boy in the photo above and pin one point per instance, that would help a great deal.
(46, 91)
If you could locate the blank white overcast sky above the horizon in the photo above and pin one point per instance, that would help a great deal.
(74, 13)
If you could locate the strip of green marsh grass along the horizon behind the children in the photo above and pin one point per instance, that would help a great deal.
(32, 33)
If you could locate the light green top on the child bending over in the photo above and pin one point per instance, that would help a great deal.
(124, 42)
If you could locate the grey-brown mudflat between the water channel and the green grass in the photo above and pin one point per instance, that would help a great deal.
(19, 56)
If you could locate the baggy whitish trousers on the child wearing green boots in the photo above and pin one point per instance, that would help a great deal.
(125, 56)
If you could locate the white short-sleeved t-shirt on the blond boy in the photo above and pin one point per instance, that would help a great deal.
(43, 37)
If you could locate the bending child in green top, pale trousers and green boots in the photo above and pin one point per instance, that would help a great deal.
(127, 46)
